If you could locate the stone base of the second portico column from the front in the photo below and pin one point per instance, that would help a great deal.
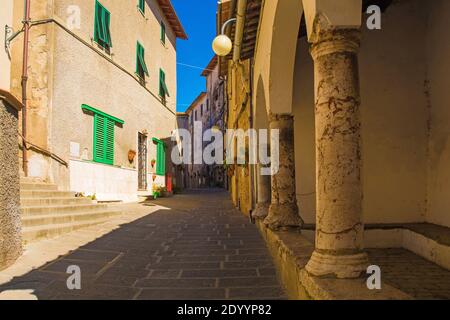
(283, 216)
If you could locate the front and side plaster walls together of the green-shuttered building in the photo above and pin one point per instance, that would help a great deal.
(66, 73)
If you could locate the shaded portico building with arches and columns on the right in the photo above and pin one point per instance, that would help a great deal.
(362, 137)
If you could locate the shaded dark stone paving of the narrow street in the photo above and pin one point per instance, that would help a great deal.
(199, 248)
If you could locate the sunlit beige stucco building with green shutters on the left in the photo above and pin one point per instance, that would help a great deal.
(102, 93)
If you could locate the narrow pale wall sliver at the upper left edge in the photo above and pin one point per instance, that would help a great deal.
(6, 13)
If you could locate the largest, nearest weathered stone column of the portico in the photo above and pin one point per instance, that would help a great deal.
(339, 231)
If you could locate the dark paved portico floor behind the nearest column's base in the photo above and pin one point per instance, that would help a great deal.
(412, 274)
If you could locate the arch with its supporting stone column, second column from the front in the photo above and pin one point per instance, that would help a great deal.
(274, 69)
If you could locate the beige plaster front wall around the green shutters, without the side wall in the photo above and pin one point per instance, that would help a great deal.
(83, 76)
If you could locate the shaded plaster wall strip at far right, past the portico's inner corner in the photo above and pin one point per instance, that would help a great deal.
(437, 89)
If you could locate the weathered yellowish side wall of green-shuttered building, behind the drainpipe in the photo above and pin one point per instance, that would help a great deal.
(39, 86)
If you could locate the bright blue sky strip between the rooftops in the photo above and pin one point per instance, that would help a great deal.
(199, 20)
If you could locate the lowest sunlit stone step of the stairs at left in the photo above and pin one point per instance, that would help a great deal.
(58, 219)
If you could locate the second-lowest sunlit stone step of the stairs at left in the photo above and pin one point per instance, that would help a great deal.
(62, 209)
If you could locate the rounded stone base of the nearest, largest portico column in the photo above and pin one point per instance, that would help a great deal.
(341, 266)
